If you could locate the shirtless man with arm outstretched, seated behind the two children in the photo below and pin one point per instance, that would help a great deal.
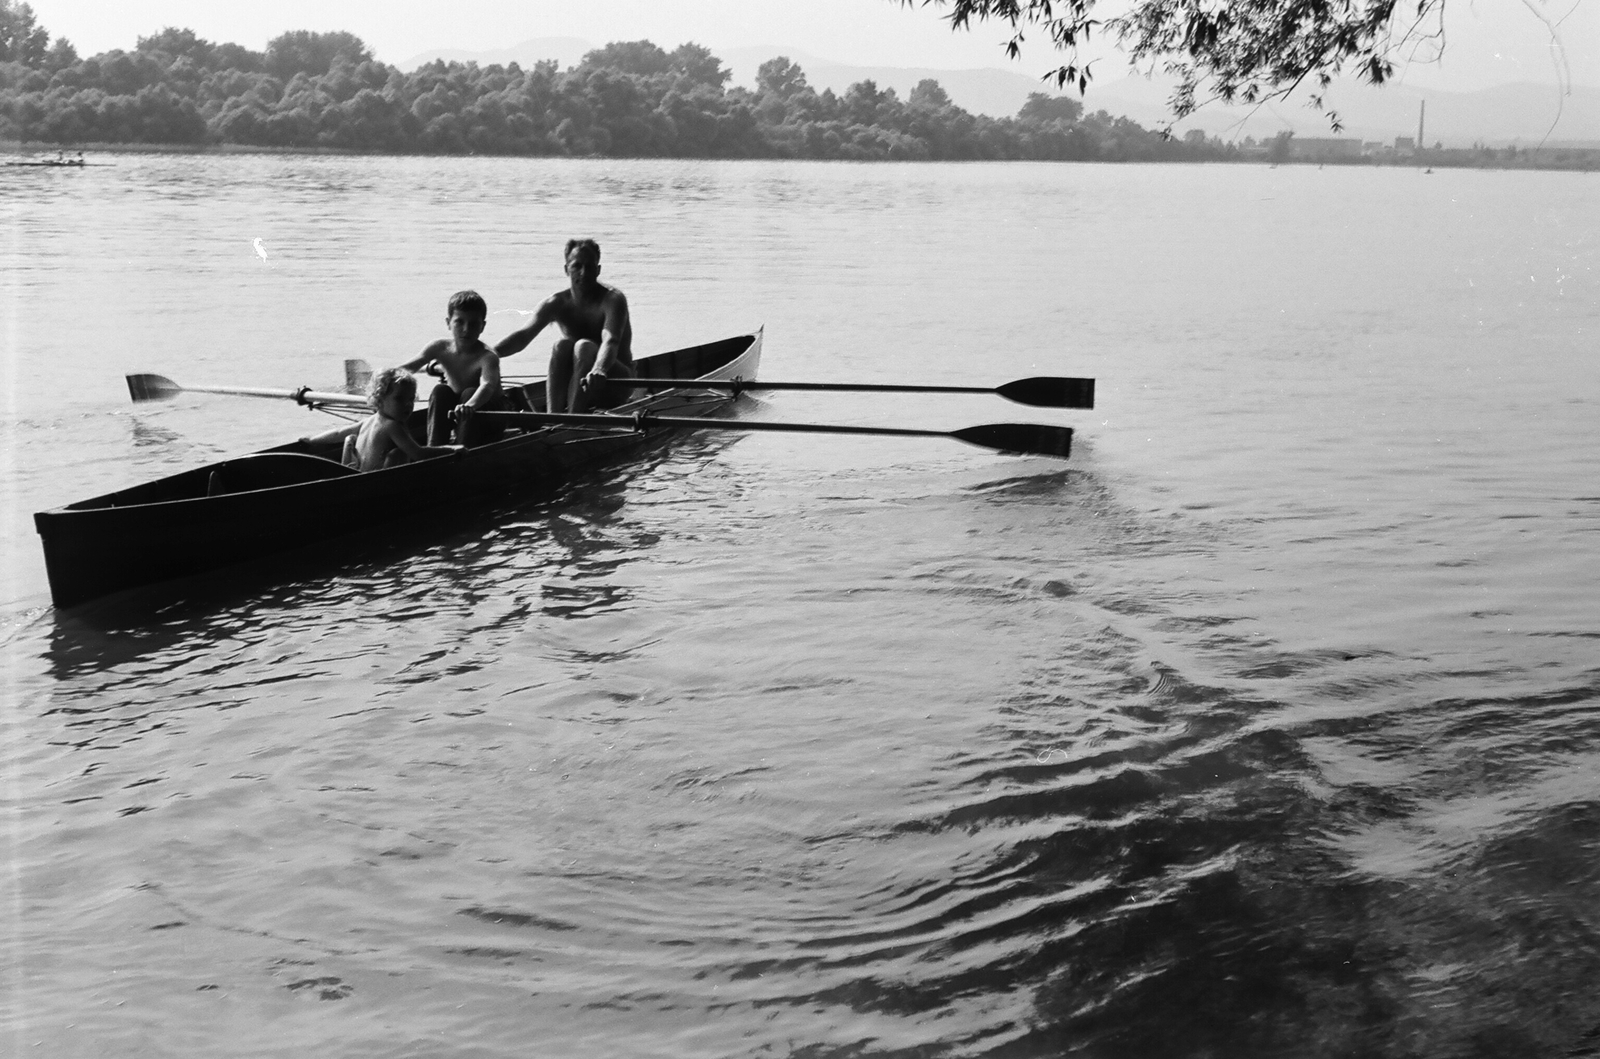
(598, 337)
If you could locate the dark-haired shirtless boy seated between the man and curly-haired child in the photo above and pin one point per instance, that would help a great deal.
(471, 377)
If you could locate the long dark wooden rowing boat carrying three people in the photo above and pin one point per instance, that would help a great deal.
(300, 494)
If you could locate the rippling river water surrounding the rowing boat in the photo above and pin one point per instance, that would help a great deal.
(1266, 725)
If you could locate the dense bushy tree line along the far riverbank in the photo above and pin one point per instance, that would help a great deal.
(626, 100)
